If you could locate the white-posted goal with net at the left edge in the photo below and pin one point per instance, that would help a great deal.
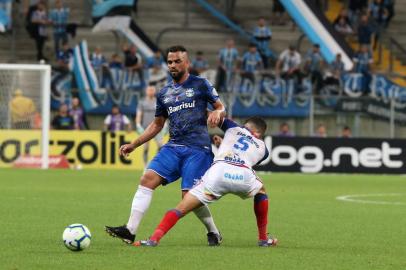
(24, 112)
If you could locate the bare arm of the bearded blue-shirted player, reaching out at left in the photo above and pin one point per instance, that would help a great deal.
(150, 132)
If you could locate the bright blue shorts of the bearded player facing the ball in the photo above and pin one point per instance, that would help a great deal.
(173, 162)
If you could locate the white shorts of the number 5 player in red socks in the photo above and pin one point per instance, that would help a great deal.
(223, 178)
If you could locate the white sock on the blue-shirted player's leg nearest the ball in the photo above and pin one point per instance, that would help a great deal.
(141, 201)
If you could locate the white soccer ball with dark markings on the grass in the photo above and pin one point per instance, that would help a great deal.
(76, 237)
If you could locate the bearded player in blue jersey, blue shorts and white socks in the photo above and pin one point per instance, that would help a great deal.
(188, 154)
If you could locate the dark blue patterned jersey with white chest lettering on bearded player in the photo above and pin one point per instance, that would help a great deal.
(185, 105)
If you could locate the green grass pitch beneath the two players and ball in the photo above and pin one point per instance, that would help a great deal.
(315, 230)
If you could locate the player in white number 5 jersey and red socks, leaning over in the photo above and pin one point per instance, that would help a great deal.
(231, 172)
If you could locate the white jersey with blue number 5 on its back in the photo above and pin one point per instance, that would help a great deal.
(239, 146)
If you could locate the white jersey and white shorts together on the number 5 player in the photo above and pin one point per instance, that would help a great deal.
(231, 171)
